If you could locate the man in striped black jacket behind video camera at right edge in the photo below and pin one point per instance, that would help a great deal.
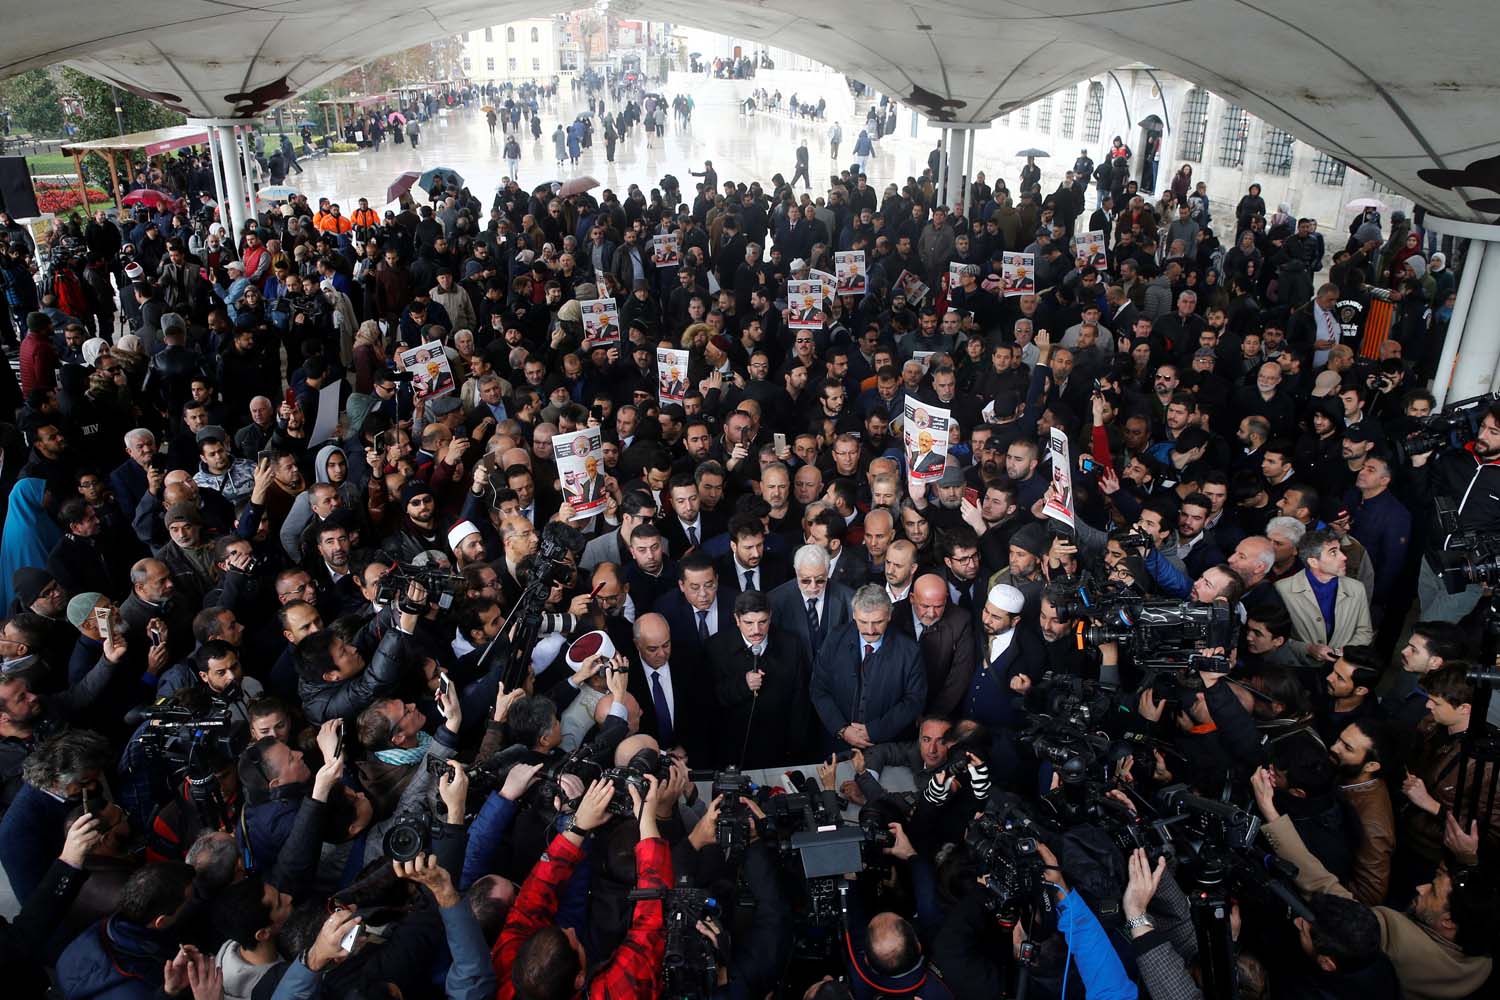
(1471, 478)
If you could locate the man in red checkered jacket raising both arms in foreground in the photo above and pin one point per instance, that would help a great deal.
(536, 960)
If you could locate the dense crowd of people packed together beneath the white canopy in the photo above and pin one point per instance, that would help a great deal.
(259, 732)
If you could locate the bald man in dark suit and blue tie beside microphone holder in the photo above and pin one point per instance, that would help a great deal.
(676, 701)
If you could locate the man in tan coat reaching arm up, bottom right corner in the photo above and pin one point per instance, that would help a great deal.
(1441, 948)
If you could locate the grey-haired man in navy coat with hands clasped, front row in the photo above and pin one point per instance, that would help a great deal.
(869, 683)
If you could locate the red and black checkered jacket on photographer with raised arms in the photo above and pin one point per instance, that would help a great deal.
(635, 969)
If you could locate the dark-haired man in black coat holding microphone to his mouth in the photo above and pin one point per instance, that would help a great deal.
(763, 677)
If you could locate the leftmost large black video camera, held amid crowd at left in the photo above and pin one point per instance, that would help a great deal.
(194, 741)
